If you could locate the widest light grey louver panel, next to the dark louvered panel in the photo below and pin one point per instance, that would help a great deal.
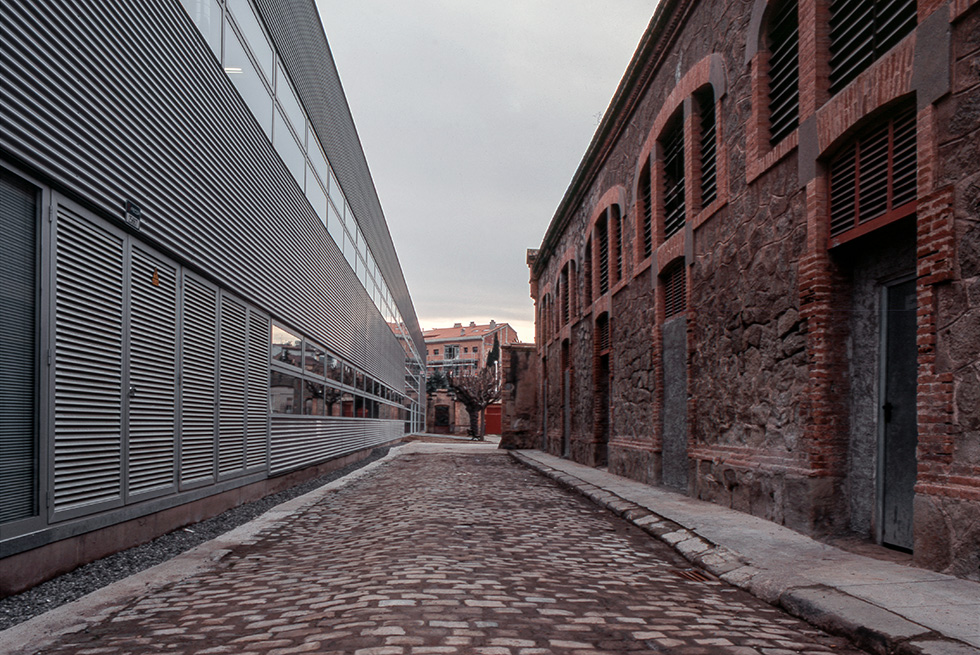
(88, 365)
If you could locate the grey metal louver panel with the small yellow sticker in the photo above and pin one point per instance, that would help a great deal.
(152, 374)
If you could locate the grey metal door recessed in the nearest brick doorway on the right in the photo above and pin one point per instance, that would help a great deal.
(898, 413)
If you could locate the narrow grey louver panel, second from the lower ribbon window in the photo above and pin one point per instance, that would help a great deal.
(231, 388)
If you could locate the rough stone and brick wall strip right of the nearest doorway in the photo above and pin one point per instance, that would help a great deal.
(947, 507)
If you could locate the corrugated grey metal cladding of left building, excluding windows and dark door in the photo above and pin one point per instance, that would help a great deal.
(157, 337)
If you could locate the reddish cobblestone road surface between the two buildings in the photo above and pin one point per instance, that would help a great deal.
(450, 553)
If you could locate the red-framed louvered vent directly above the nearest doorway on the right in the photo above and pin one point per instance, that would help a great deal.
(875, 175)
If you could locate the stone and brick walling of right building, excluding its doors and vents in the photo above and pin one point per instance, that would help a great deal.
(768, 333)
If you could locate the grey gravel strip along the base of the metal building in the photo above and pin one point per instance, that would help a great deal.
(85, 579)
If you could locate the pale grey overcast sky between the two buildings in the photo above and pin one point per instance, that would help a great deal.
(474, 116)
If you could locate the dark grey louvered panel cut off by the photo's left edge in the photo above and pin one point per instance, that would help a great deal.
(18, 385)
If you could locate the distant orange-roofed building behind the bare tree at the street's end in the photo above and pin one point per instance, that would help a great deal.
(457, 350)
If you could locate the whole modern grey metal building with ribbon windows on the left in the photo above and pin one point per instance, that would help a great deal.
(201, 300)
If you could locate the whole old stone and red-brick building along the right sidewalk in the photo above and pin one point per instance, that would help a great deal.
(762, 286)
